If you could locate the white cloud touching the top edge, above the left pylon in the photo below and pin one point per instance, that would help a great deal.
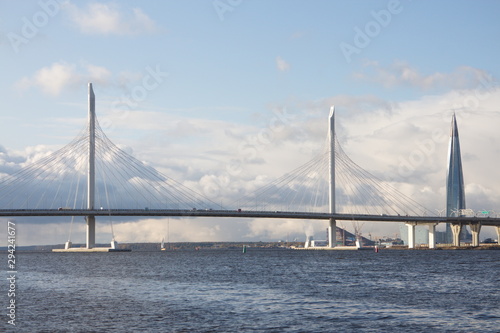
(110, 19)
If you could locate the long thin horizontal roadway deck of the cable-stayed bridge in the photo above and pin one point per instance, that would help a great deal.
(247, 214)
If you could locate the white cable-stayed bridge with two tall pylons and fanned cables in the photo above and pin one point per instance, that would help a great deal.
(91, 176)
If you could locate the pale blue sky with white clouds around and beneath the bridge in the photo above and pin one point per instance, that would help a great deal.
(191, 87)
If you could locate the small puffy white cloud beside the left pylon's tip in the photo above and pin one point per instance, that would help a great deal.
(59, 76)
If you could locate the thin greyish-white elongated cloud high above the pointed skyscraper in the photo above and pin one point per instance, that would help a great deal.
(401, 73)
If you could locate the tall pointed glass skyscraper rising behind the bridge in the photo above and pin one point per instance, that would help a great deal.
(455, 194)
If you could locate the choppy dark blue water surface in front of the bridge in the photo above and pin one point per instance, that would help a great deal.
(259, 291)
